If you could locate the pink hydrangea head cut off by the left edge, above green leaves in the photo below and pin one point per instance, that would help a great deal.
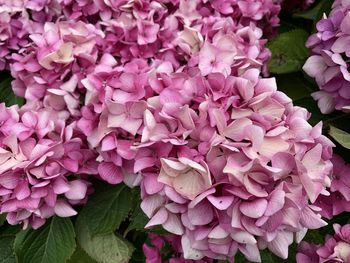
(39, 157)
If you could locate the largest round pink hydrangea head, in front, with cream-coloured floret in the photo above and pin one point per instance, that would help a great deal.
(242, 172)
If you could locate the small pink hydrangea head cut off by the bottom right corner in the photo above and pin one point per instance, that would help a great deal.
(335, 249)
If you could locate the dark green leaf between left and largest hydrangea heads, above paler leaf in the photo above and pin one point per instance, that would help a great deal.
(107, 208)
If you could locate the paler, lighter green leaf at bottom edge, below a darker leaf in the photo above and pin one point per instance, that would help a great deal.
(104, 248)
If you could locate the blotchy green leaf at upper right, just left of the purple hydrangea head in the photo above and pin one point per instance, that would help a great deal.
(288, 52)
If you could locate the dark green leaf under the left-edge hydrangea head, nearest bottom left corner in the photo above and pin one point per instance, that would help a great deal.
(52, 243)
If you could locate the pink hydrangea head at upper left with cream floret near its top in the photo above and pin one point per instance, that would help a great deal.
(52, 68)
